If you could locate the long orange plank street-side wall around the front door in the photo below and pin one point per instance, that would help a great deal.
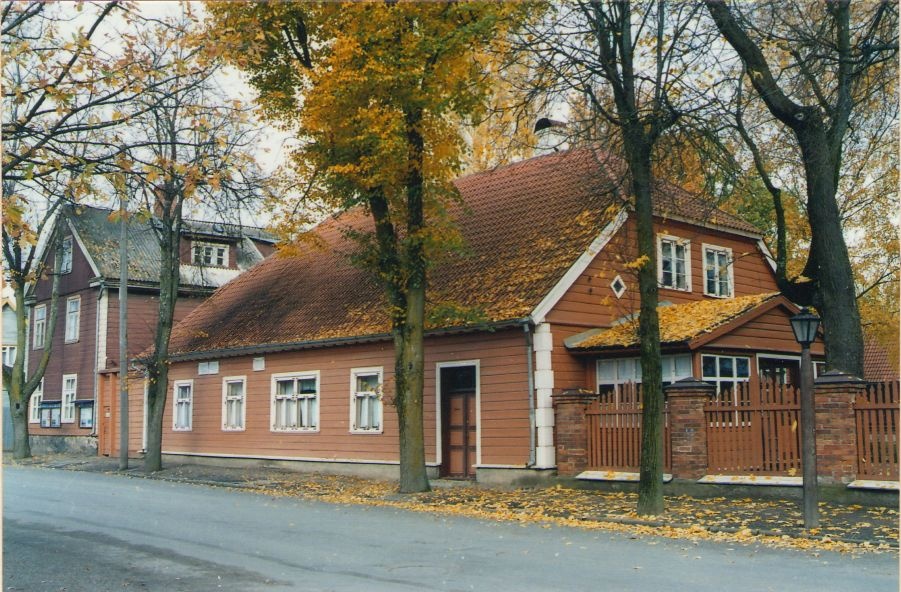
(504, 402)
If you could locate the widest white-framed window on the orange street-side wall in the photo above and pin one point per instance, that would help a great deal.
(295, 402)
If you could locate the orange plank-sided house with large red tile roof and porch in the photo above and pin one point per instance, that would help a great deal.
(293, 361)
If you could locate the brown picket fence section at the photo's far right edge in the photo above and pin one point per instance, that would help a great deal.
(876, 414)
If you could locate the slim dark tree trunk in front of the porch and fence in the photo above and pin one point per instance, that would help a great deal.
(650, 485)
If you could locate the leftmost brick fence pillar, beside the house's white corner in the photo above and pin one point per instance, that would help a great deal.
(571, 429)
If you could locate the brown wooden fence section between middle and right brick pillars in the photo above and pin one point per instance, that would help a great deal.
(755, 430)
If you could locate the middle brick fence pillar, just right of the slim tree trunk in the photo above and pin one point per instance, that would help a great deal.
(688, 427)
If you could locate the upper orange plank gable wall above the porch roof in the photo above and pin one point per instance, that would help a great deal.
(590, 302)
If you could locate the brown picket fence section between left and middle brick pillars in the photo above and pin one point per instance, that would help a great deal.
(614, 431)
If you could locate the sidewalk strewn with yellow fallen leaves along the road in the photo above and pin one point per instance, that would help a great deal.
(850, 528)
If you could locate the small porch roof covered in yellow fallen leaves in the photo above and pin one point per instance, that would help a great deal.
(679, 323)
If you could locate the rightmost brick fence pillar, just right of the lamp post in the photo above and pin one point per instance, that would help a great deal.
(834, 394)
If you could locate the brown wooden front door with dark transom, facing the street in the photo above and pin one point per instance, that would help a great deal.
(458, 423)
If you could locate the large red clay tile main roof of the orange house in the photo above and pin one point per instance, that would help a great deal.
(523, 225)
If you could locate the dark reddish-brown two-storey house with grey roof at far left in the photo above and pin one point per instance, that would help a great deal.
(64, 412)
